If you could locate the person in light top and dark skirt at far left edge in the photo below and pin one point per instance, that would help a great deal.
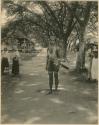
(4, 61)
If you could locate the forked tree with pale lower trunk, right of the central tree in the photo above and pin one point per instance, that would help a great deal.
(82, 16)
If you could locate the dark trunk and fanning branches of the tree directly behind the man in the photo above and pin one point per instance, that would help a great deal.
(61, 21)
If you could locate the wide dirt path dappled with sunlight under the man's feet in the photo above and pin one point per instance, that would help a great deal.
(24, 98)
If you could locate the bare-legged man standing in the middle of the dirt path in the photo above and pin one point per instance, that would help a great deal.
(53, 63)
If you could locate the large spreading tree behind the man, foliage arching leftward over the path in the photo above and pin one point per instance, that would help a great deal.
(56, 19)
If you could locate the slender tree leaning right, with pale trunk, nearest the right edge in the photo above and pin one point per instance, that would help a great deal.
(82, 33)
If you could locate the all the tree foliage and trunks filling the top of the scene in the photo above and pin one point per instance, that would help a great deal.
(67, 21)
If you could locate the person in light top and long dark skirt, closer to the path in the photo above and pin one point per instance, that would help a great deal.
(15, 63)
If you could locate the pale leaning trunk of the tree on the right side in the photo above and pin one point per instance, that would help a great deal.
(80, 64)
